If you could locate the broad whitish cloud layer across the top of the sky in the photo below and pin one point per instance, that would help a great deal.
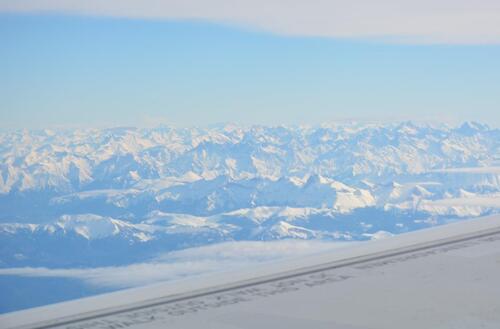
(421, 21)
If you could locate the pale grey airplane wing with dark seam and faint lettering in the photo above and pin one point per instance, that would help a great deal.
(444, 277)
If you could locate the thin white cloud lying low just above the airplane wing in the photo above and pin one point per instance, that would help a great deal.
(185, 263)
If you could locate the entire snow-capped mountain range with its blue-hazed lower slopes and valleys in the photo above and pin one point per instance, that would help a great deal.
(113, 196)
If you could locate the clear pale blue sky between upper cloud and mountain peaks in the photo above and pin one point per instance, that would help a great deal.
(71, 70)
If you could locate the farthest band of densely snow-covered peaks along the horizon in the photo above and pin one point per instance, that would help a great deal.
(73, 159)
